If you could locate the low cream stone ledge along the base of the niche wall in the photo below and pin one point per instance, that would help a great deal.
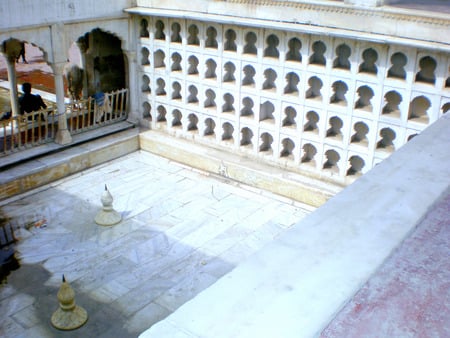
(300, 188)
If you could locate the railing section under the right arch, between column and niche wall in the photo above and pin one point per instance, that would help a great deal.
(86, 114)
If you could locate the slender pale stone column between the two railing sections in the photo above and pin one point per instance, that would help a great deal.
(63, 135)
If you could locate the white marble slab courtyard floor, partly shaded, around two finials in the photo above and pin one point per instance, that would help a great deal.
(181, 231)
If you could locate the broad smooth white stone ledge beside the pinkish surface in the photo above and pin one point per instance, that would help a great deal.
(297, 283)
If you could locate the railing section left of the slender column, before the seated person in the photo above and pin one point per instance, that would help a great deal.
(28, 130)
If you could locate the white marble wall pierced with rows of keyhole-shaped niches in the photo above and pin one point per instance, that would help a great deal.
(386, 95)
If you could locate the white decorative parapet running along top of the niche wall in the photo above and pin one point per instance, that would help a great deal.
(376, 23)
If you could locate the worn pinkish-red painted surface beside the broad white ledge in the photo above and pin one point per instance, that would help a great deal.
(409, 296)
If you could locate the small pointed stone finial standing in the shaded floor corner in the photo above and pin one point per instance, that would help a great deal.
(69, 316)
